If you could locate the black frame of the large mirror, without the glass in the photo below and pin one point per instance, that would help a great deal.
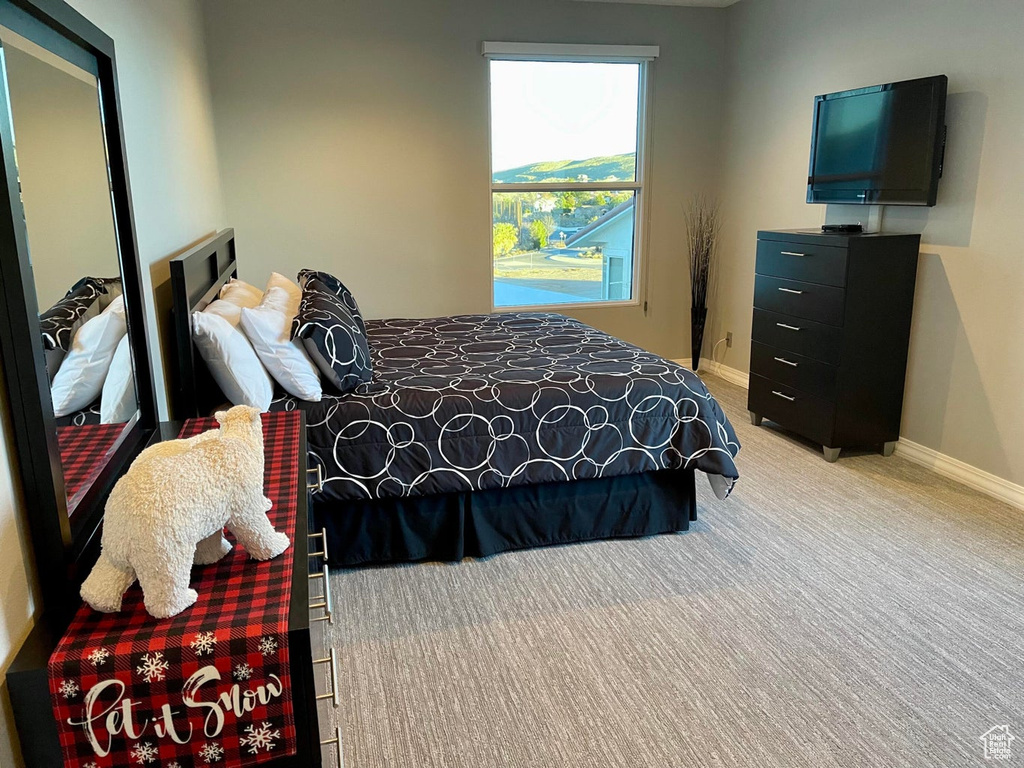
(66, 546)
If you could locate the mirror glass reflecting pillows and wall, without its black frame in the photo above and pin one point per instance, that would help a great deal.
(62, 155)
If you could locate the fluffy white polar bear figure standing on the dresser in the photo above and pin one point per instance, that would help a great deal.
(170, 509)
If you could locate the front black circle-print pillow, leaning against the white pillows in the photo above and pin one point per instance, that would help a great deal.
(333, 336)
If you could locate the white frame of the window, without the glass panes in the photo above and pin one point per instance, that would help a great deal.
(639, 55)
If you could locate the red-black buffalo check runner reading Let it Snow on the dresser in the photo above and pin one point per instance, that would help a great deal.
(208, 688)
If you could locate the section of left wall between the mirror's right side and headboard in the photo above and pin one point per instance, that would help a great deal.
(165, 103)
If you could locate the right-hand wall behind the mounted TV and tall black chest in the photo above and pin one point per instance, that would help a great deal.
(964, 394)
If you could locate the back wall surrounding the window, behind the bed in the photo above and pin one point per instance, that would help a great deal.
(354, 138)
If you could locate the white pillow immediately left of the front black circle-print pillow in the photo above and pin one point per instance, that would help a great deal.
(269, 328)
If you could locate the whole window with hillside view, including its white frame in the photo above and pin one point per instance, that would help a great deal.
(568, 127)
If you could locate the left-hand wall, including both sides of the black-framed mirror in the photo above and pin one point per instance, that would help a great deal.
(177, 196)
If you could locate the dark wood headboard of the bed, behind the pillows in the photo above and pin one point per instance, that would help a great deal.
(197, 278)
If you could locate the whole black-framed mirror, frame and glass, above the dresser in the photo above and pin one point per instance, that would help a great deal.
(75, 356)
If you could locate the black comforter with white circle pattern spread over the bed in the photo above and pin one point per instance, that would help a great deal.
(473, 403)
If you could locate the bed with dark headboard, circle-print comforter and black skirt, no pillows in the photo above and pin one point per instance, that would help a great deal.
(480, 435)
